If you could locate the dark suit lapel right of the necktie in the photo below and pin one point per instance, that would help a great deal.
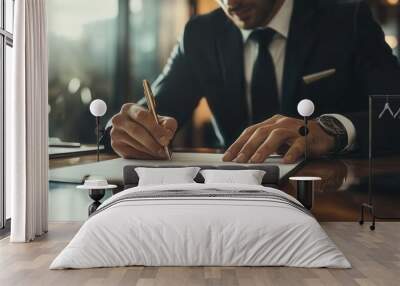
(301, 39)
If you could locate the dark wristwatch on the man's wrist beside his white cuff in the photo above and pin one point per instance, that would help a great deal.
(335, 128)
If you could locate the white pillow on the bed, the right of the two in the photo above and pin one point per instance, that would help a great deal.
(246, 177)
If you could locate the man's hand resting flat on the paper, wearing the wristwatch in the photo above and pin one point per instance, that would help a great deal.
(279, 134)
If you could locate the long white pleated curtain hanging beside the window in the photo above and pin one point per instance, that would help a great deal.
(27, 124)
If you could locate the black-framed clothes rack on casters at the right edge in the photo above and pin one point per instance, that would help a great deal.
(384, 153)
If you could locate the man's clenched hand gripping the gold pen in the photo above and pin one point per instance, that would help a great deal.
(136, 135)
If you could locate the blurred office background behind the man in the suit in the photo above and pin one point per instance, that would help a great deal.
(105, 48)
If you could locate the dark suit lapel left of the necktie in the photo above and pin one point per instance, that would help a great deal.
(230, 54)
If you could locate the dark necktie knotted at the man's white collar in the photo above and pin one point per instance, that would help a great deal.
(264, 92)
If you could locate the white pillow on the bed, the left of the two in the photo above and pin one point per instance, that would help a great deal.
(166, 176)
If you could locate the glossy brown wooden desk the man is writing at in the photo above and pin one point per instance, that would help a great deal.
(344, 185)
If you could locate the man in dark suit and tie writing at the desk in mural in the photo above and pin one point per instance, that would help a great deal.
(248, 59)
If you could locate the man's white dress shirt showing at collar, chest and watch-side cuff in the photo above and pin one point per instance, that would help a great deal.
(280, 24)
